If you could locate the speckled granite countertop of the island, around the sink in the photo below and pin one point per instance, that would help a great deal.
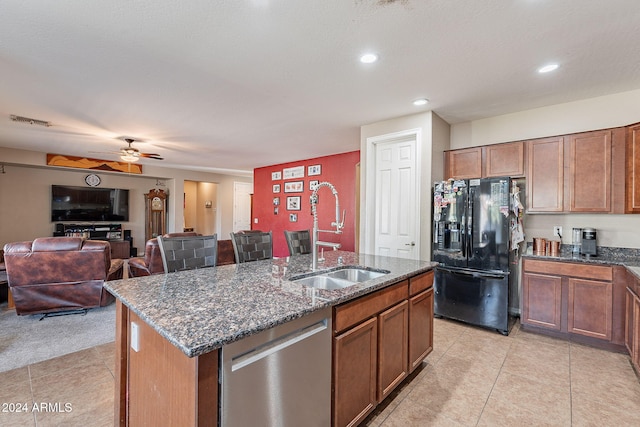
(201, 310)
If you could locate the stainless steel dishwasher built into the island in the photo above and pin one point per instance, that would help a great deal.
(279, 377)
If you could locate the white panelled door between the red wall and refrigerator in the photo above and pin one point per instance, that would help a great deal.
(396, 198)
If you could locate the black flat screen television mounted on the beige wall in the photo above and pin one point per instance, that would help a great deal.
(70, 203)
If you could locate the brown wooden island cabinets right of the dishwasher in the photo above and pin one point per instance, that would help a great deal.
(378, 340)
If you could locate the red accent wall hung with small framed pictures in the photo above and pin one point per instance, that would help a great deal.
(339, 170)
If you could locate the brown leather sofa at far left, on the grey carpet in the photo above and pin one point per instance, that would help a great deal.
(55, 274)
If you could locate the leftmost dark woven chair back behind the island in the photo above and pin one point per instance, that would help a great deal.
(188, 252)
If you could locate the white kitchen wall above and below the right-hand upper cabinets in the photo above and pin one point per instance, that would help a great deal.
(590, 114)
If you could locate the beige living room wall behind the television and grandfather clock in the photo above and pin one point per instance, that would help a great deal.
(25, 193)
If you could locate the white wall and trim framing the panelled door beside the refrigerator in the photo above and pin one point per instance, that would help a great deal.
(434, 133)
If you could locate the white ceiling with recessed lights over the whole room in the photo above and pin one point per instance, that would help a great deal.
(230, 85)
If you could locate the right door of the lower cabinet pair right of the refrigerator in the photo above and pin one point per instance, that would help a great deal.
(589, 310)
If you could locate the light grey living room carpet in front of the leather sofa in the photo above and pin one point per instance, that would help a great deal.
(27, 339)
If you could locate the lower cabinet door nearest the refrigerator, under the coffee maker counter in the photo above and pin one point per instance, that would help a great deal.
(541, 300)
